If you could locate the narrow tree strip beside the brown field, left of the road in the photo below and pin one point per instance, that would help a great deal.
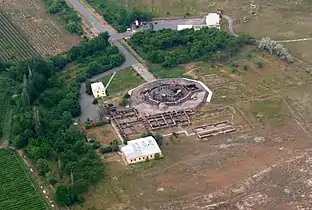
(68, 14)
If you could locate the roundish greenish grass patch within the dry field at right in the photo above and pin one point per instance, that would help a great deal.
(269, 112)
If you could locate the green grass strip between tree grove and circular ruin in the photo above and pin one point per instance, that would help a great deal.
(161, 73)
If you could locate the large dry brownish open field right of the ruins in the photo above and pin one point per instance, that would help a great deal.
(265, 164)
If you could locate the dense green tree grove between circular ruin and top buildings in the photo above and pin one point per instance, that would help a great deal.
(171, 48)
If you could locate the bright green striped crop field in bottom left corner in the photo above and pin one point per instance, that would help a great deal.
(17, 189)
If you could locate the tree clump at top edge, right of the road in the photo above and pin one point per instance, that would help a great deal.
(118, 16)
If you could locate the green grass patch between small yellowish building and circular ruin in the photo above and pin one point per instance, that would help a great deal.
(124, 80)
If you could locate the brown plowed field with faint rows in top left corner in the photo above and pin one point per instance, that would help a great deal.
(47, 35)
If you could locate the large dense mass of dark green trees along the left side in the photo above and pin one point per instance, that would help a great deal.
(43, 108)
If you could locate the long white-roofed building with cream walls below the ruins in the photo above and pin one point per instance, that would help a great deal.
(140, 150)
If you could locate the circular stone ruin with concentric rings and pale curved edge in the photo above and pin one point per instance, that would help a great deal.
(169, 95)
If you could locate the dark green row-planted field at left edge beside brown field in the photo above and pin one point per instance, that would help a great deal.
(13, 46)
